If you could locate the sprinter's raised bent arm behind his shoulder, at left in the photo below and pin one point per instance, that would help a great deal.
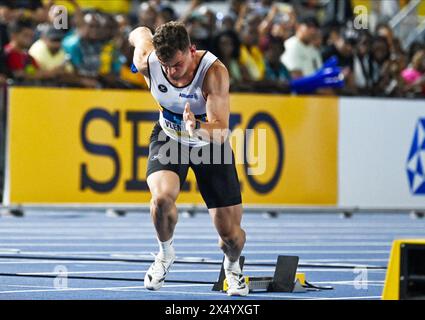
(141, 39)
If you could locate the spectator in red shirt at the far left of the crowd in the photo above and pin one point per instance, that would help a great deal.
(21, 65)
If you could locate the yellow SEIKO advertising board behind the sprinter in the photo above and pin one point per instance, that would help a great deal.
(68, 146)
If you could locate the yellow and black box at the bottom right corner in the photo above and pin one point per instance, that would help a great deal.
(405, 278)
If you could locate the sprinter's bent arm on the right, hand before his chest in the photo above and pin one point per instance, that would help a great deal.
(216, 88)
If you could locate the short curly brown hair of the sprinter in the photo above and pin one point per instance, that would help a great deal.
(169, 38)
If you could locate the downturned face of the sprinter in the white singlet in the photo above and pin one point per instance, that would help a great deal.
(177, 67)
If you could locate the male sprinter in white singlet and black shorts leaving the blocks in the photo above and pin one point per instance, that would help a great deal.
(192, 90)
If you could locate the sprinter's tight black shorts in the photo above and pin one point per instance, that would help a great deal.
(213, 165)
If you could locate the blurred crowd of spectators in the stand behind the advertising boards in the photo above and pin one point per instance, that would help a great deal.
(264, 44)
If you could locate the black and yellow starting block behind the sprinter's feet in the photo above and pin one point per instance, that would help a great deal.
(285, 278)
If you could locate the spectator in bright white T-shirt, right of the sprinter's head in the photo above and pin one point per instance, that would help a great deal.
(301, 57)
